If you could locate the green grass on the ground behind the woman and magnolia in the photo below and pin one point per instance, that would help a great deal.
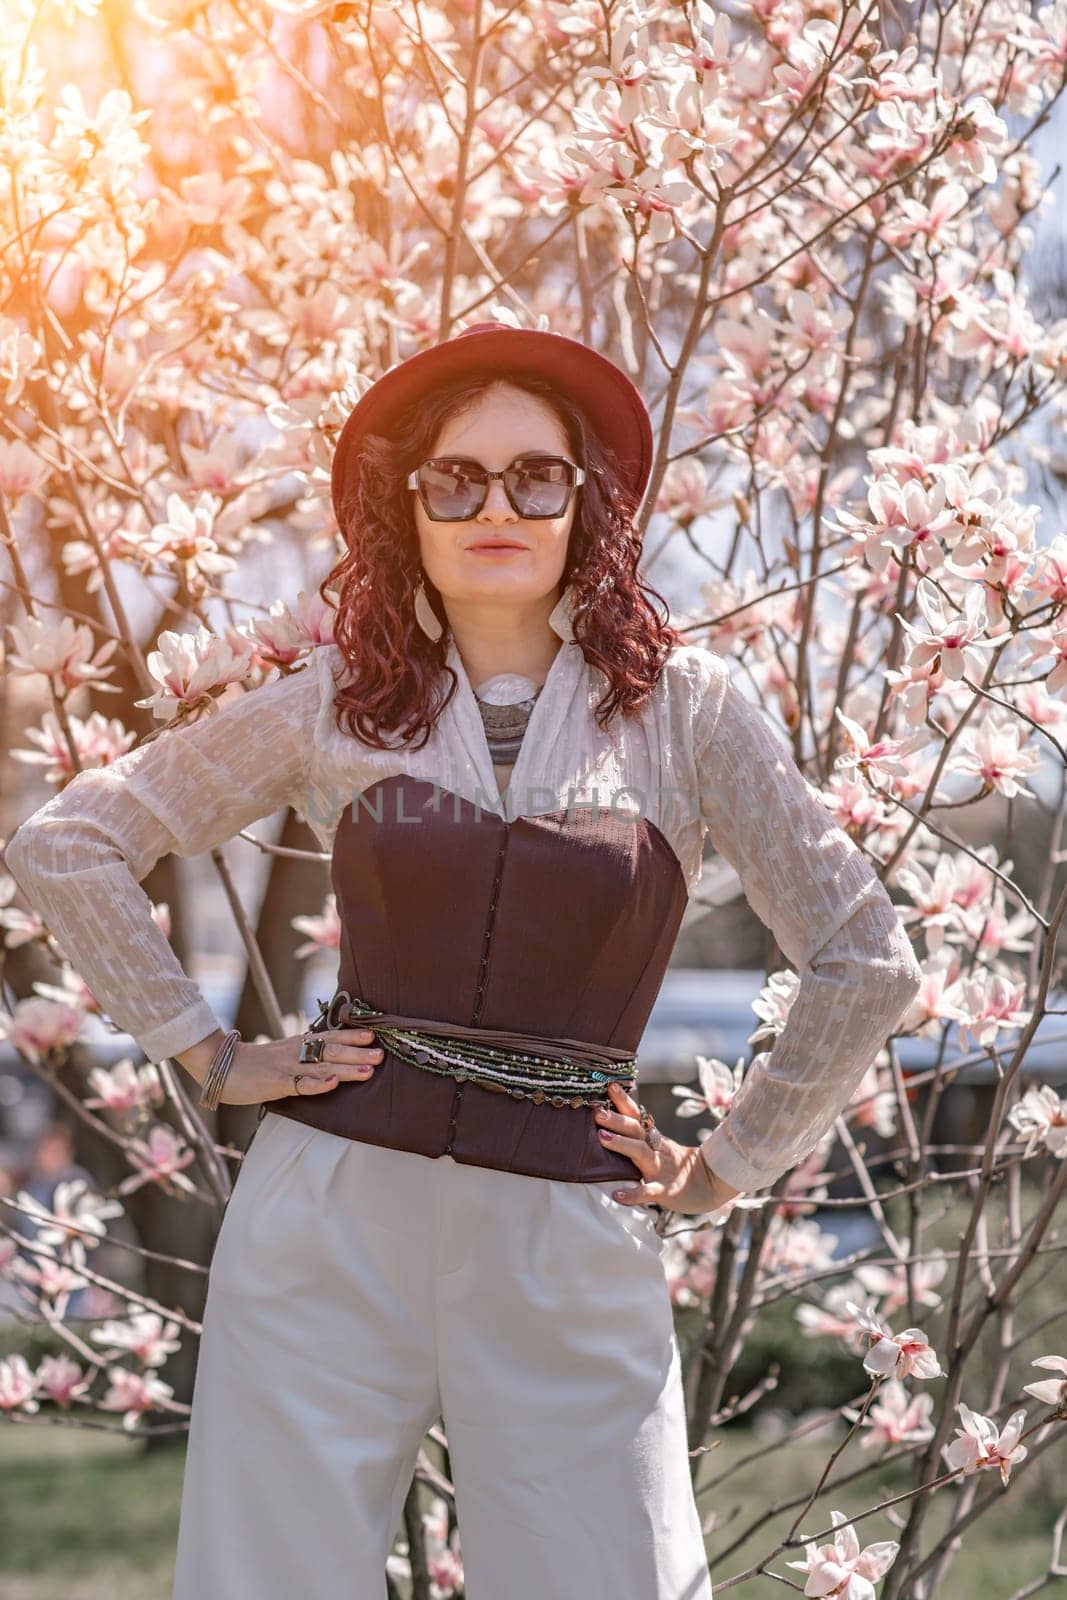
(89, 1516)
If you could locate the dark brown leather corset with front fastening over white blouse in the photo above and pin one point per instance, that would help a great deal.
(559, 926)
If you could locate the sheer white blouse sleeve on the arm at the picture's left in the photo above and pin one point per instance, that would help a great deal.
(82, 855)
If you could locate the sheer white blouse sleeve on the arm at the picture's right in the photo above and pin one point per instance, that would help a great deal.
(821, 898)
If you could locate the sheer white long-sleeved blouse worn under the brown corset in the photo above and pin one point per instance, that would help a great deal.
(698, 759)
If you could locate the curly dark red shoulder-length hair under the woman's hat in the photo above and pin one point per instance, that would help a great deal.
(396, 670)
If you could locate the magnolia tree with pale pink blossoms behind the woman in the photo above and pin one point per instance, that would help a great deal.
(802, 231)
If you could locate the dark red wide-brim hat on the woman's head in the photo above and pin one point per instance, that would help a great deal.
(612, 402)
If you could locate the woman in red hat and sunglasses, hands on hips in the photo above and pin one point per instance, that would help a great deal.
(441, 1214)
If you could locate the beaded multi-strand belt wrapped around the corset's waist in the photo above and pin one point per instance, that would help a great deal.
(526, 1066)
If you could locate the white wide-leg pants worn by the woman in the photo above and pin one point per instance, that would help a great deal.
(361, 1294)
